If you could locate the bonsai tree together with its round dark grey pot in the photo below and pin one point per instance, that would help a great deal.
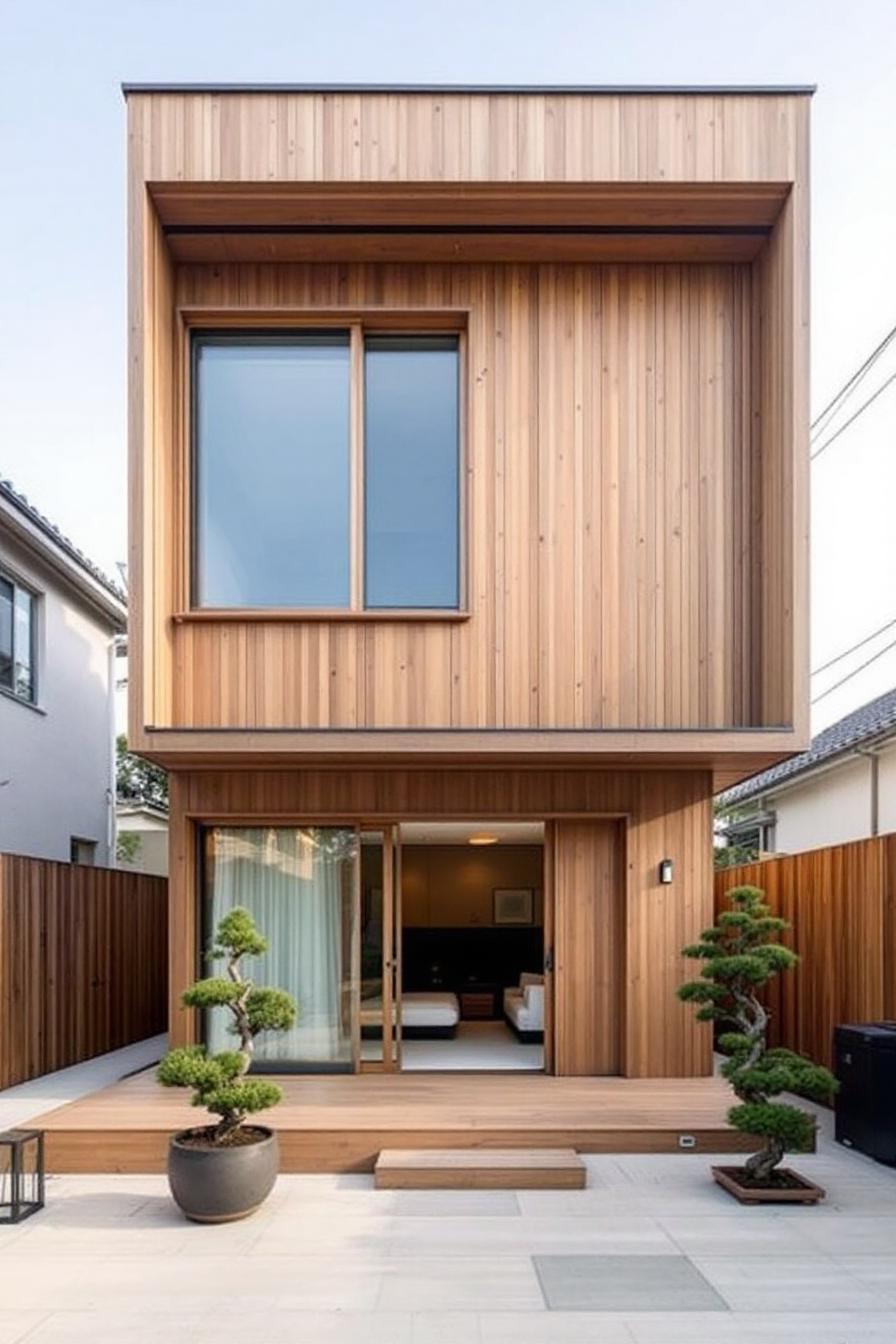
(226, 1170)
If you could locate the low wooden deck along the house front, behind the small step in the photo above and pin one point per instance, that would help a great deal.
(341, 1124)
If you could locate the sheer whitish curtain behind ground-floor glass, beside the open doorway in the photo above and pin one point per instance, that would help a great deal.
(300, 889)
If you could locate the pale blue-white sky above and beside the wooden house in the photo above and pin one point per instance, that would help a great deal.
(62, 232)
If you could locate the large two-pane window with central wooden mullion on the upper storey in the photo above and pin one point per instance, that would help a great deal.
(303, 503)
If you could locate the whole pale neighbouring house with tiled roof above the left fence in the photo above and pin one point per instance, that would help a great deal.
(60, 622)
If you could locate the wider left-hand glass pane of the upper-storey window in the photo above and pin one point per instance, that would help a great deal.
(272, 423)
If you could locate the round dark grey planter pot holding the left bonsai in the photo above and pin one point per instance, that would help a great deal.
(222, 1185)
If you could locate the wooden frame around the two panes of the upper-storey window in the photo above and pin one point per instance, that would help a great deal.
(358, 331)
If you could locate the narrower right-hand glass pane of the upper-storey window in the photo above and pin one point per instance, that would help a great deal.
(412, 471)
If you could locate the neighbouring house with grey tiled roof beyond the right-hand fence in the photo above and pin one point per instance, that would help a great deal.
(843, 788)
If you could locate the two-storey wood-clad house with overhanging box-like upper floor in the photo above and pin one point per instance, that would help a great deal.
(469, 544)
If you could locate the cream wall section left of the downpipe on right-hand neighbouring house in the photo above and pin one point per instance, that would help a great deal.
(830, 808)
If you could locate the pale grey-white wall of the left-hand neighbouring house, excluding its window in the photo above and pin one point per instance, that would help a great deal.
(56, 760)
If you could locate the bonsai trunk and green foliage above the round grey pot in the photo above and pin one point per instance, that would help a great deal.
(220, 1081)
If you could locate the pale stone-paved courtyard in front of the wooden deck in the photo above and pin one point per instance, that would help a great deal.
(651, 1253)
